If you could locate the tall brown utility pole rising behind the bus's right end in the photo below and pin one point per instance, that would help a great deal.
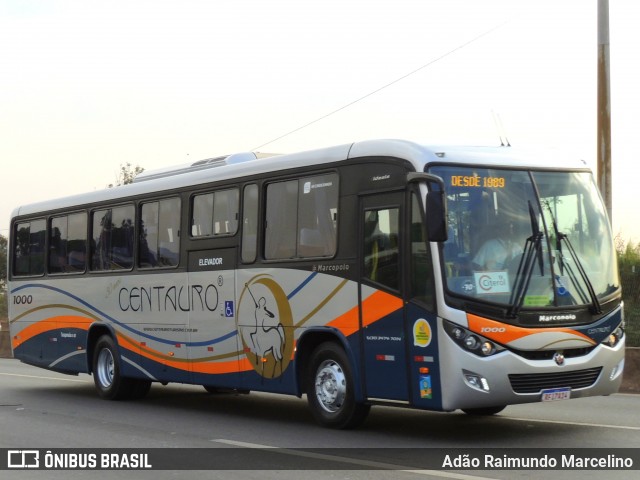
(604, 108)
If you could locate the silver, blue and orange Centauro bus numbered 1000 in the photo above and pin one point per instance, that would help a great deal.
(379, 272)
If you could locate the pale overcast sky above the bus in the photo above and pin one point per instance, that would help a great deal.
(86, 86)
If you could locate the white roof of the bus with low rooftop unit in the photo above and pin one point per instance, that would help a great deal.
(246, 164)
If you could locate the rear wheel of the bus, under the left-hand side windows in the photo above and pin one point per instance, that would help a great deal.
(109, 382)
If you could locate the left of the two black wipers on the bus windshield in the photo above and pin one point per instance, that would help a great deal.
(532, 250)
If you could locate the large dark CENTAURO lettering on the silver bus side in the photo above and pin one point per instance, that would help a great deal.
(163, 299)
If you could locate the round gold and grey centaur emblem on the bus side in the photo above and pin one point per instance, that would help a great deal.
(265, 324)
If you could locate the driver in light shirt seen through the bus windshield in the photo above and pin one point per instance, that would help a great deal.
(497, 252)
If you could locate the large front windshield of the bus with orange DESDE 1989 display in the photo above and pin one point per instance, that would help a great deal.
(527, 239)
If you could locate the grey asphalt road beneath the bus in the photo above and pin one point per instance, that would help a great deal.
(42, 409)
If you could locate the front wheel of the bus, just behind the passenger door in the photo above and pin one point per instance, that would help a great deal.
(330, 389)
